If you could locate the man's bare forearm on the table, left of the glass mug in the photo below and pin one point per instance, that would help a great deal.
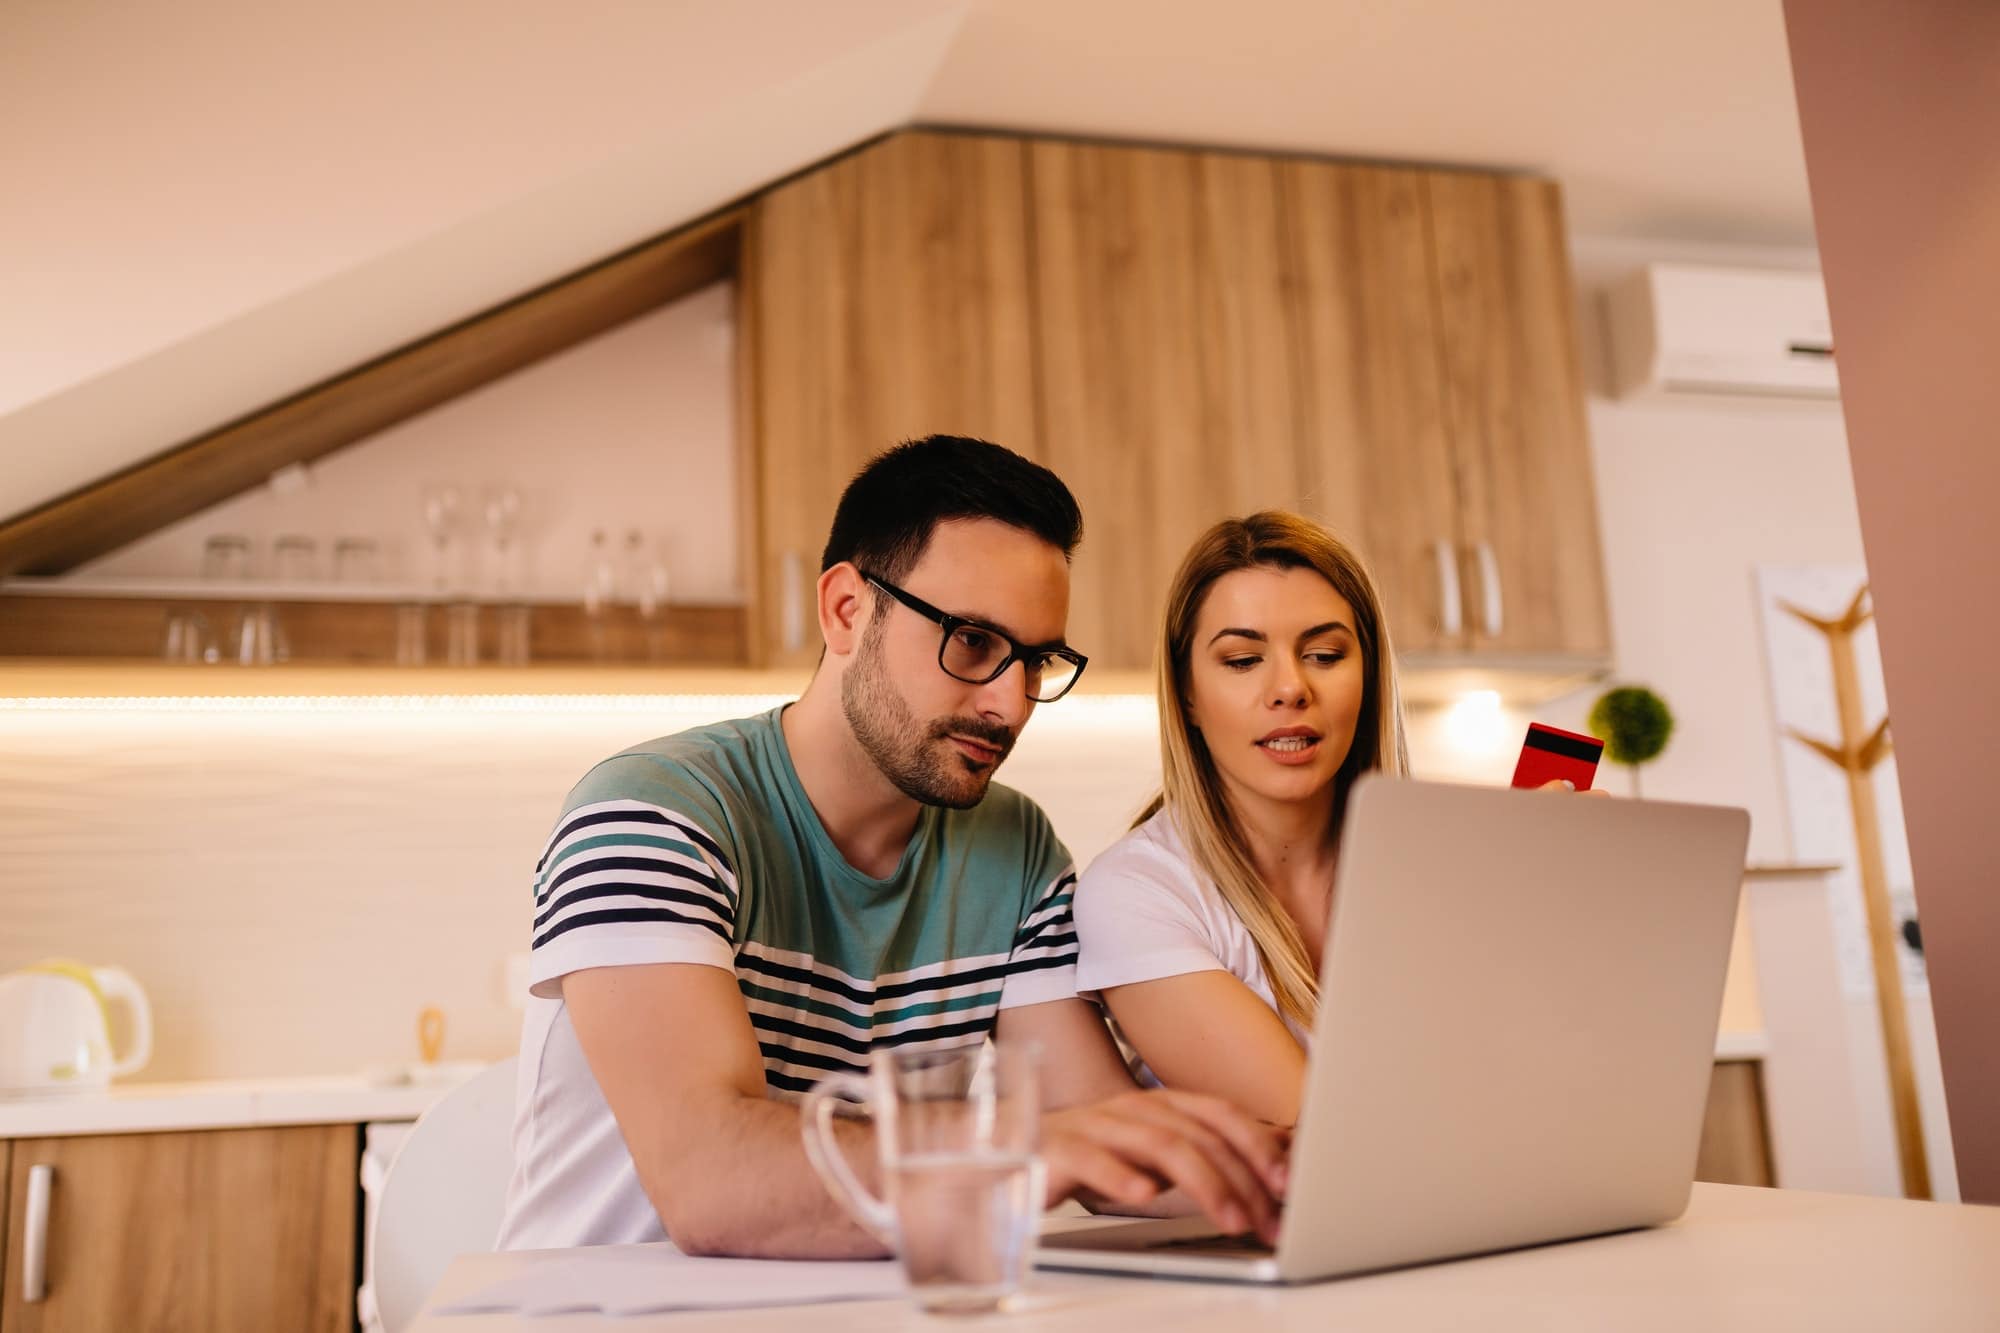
(751, 1192)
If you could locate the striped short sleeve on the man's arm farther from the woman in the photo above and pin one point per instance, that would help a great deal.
(637, 872)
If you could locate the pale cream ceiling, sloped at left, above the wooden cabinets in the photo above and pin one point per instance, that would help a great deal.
(217, 203)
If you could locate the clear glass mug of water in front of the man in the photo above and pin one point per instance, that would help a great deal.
(957, 1146)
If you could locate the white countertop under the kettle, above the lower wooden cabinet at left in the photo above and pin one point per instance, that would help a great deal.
(225, 1104)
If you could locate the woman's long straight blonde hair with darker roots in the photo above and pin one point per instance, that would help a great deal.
(1191, 790)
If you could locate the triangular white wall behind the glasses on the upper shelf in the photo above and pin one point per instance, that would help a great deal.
(629, 431)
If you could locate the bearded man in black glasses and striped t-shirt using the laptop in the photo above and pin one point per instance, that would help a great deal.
(727, 916)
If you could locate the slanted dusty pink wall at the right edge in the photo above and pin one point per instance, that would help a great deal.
(1901, 115)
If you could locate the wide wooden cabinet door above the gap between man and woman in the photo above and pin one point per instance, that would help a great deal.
(1163, 365)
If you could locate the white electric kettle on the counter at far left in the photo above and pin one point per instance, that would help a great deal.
(57, 1032)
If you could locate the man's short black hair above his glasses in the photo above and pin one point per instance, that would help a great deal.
(893, 505)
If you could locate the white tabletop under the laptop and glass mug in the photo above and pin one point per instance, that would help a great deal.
(1741, 1260)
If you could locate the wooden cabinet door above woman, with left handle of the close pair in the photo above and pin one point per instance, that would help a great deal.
(1369, 389)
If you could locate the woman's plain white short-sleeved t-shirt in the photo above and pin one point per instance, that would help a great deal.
(1145, 912)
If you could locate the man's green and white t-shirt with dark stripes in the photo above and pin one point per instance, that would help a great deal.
(705, 850)
